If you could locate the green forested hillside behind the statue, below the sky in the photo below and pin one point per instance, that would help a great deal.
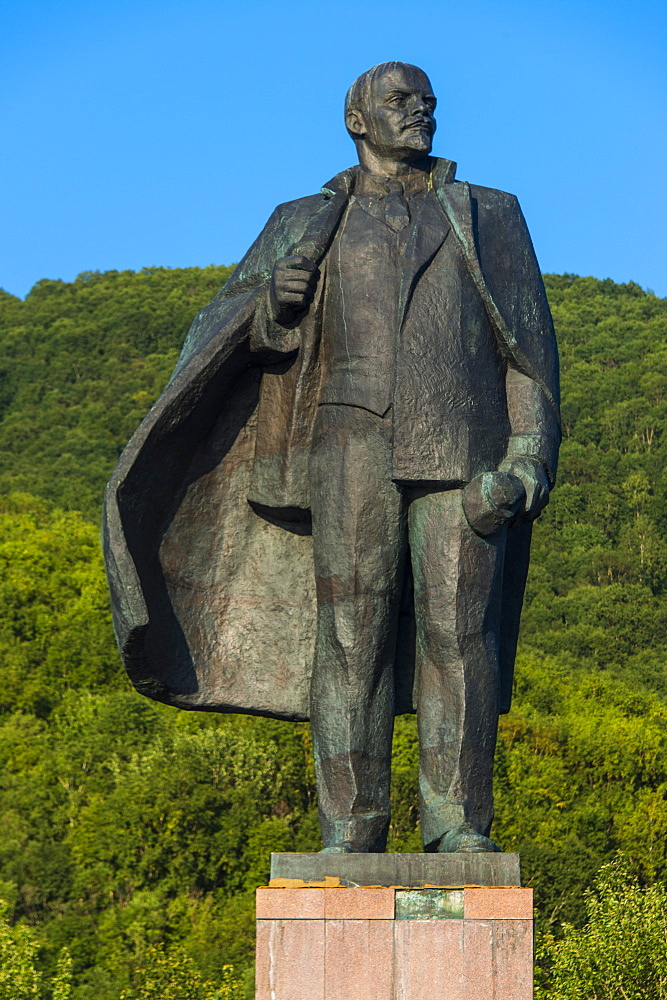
(132, 831)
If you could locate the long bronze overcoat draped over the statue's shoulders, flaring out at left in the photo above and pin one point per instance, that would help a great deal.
(212, 596)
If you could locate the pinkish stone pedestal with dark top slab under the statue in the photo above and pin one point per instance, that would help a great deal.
(396, 941)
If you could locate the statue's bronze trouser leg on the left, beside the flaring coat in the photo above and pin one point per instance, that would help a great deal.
(359, 540)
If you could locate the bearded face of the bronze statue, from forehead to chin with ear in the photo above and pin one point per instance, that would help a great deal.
(398, 116)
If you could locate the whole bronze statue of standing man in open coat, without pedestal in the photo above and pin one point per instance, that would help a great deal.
(327, 513)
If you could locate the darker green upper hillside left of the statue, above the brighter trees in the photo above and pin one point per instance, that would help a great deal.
(81, 364)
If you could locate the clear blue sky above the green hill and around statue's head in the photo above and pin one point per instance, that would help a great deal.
(164, 133)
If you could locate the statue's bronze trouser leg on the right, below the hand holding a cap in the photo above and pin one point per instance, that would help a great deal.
(458, 580)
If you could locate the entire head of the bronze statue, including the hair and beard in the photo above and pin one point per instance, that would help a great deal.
(389, 112)
